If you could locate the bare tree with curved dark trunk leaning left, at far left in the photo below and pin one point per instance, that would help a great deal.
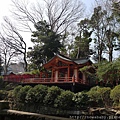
(13, 39)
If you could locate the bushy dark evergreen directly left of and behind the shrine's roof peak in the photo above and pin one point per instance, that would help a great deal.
(46, 43)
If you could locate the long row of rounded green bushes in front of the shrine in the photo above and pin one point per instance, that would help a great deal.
(64, 99)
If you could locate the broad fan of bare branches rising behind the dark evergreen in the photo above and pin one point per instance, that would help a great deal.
(60, 14)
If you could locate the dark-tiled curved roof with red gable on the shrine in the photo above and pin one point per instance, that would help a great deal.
(67, 60)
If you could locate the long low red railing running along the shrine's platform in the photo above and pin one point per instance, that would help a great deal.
(27, 80)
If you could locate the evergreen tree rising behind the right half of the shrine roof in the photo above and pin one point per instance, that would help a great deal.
(82, 40)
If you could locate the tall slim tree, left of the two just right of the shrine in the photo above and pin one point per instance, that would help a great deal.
(97, 24)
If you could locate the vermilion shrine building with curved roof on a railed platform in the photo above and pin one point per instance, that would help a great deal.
(61, 71)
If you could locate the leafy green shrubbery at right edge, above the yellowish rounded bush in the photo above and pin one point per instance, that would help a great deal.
(109, 72)
